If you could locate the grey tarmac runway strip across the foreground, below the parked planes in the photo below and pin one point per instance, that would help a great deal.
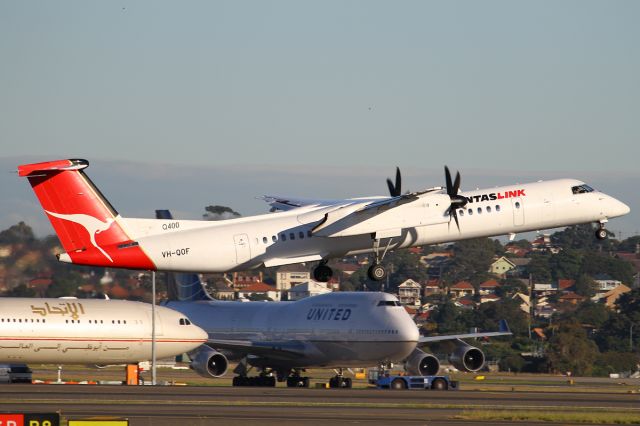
(146, 405)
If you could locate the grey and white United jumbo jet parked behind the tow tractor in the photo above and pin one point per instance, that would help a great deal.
(333, 330)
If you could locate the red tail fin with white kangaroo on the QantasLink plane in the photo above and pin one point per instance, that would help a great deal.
(86, 224)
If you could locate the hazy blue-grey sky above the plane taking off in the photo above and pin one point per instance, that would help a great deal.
(505, 89)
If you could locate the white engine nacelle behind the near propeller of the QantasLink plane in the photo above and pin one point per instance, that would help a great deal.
(418, 209)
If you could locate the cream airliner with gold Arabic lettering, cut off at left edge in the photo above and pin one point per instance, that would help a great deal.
(90, 331)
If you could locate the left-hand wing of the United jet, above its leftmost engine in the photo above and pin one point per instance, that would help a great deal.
(281, 350)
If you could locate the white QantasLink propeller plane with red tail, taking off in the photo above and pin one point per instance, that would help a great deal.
(93, 233)
